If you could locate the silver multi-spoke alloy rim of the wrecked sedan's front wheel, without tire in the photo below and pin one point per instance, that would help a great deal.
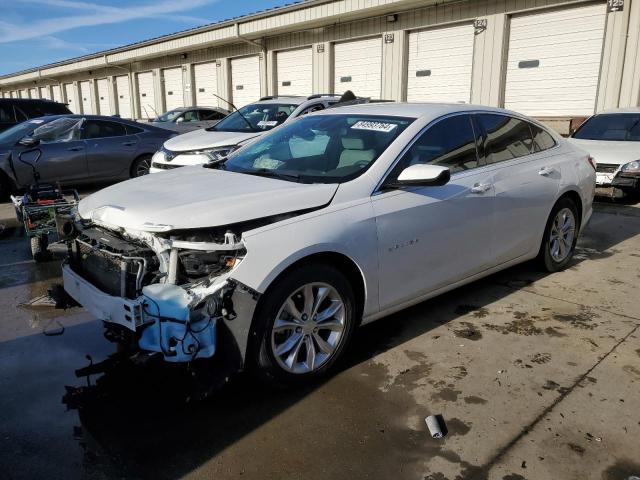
(308, 328)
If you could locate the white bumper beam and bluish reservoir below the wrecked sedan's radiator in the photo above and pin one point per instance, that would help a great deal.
(164, 322)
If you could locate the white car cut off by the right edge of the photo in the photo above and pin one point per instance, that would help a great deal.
(613, 140)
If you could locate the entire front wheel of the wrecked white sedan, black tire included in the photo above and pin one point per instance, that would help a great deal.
(304, 325)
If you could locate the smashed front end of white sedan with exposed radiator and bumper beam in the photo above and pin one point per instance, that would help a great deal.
(164, 293)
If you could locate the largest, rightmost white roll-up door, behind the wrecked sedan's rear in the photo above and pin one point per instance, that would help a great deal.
(554, 61)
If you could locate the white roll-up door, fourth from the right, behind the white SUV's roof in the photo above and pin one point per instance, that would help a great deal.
(294, 72)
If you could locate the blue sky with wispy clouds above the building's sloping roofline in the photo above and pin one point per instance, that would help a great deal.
(38, 32)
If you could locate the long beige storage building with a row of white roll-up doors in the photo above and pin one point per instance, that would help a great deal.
(552, 59)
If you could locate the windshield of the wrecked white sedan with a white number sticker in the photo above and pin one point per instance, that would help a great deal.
(319, 148)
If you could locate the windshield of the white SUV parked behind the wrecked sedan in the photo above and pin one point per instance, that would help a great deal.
(258, 117)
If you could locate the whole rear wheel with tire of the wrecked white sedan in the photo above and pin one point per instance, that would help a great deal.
(560, 236)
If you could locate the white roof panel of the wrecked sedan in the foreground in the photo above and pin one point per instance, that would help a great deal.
(411, 110)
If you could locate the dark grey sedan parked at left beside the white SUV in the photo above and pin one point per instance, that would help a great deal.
(75, 149)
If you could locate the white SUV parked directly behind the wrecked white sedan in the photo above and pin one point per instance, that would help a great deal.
(250, 121)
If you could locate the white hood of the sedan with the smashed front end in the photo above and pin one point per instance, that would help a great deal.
(198, 197)
